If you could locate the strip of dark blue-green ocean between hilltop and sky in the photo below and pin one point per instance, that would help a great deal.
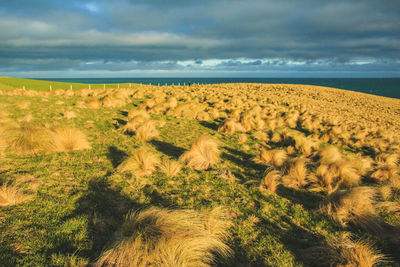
(389, 87)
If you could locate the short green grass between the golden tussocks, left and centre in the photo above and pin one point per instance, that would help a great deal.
(81, 200)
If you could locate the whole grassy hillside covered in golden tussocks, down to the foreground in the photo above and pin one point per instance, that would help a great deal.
(301, 178)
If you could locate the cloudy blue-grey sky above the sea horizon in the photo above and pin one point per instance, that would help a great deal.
(207, 38)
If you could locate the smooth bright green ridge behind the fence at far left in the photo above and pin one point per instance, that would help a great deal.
(7, 83)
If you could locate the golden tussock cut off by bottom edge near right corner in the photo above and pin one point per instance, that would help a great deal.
(341, 250)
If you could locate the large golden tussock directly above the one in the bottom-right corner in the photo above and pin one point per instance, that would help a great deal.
(355, 206)
